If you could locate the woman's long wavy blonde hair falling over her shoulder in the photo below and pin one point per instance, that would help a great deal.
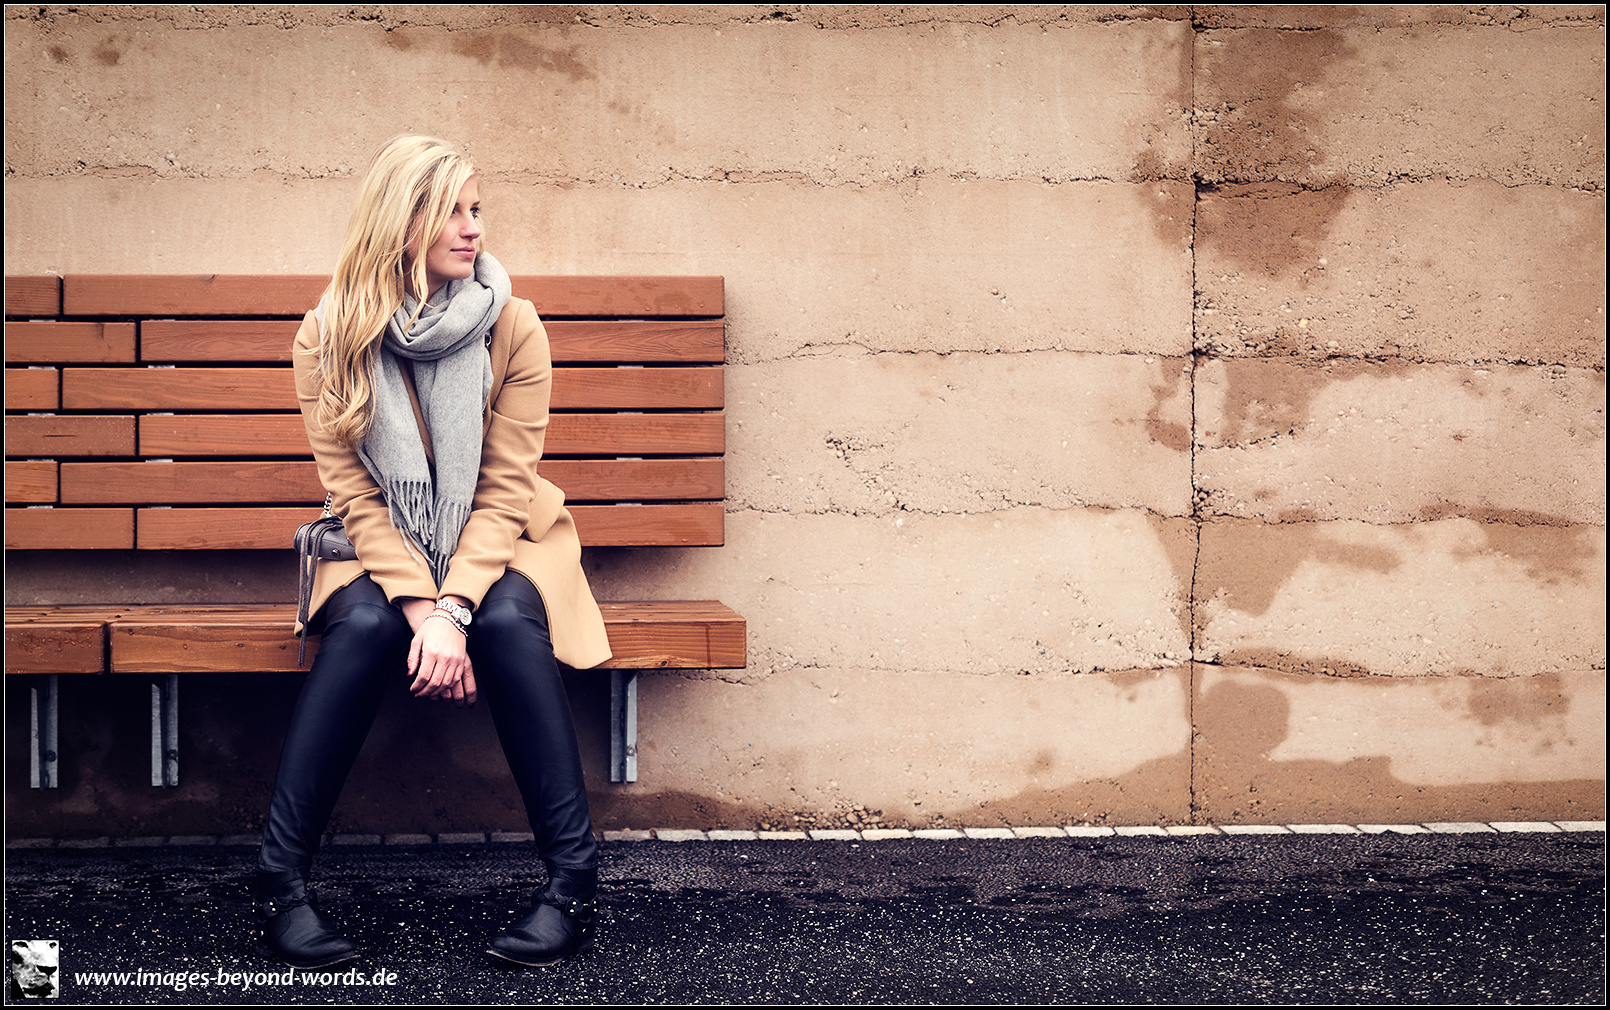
(407, 201)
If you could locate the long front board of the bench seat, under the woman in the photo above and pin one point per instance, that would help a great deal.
(258, 639)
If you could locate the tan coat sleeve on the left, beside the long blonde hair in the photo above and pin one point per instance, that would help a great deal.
(358, 502)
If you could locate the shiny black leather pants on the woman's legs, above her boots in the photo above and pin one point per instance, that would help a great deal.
(365, 647)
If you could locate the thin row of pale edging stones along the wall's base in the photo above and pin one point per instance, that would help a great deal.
(679, 835)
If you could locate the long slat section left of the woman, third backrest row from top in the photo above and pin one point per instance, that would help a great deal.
(178, 389)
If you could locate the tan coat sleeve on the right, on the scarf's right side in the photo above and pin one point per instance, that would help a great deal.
(510, 497)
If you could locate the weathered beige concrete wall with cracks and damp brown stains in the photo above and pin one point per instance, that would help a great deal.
(1136, 413)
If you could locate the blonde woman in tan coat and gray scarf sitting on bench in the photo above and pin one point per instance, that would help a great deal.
(424, 387)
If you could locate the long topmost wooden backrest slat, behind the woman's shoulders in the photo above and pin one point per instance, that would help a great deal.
(294, 296)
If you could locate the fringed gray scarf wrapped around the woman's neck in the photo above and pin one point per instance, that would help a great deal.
(453, 378)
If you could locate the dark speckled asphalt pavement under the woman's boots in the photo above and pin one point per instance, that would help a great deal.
(1303, 919)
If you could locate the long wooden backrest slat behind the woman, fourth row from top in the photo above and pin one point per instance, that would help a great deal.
(568, 436)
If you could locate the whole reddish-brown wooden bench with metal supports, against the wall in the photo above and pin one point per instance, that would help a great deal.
(159, 413)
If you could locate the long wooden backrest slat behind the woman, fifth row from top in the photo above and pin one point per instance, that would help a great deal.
(299, 481)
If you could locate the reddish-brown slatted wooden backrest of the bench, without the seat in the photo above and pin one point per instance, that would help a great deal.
(160, 412)
